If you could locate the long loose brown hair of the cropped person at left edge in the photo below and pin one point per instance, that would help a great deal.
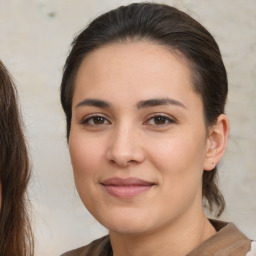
(15, 230)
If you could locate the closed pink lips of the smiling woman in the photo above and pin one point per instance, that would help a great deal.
(126, 188)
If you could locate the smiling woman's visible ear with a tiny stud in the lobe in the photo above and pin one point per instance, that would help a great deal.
(216, 142)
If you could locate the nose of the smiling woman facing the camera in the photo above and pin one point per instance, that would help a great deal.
(125, 147)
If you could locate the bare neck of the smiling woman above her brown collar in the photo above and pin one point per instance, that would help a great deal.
(177, 238)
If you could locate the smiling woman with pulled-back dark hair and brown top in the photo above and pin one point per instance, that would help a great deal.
(144, 89)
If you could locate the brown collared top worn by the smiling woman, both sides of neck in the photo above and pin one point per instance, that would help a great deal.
(228, 241)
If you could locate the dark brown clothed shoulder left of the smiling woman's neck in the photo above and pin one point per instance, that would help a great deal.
(99, 247)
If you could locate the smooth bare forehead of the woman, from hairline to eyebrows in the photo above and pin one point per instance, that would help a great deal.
(144, 68)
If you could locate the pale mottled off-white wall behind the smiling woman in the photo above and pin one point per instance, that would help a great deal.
(35, 37)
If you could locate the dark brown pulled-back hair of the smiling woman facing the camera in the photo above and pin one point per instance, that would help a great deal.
(174, 29)
